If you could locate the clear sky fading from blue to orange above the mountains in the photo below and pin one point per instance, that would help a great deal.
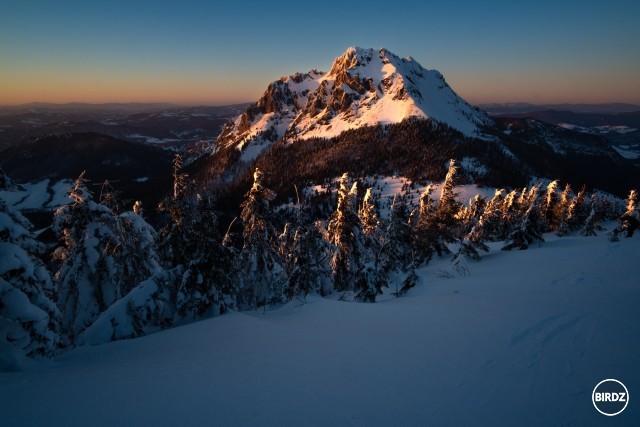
(203, 52)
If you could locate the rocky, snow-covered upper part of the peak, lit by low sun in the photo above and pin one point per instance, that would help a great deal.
(364, 87)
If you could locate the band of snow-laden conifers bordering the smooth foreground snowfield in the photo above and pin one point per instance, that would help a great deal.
(113, 276)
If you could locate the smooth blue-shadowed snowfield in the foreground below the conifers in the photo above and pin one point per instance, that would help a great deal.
(522, 339)
